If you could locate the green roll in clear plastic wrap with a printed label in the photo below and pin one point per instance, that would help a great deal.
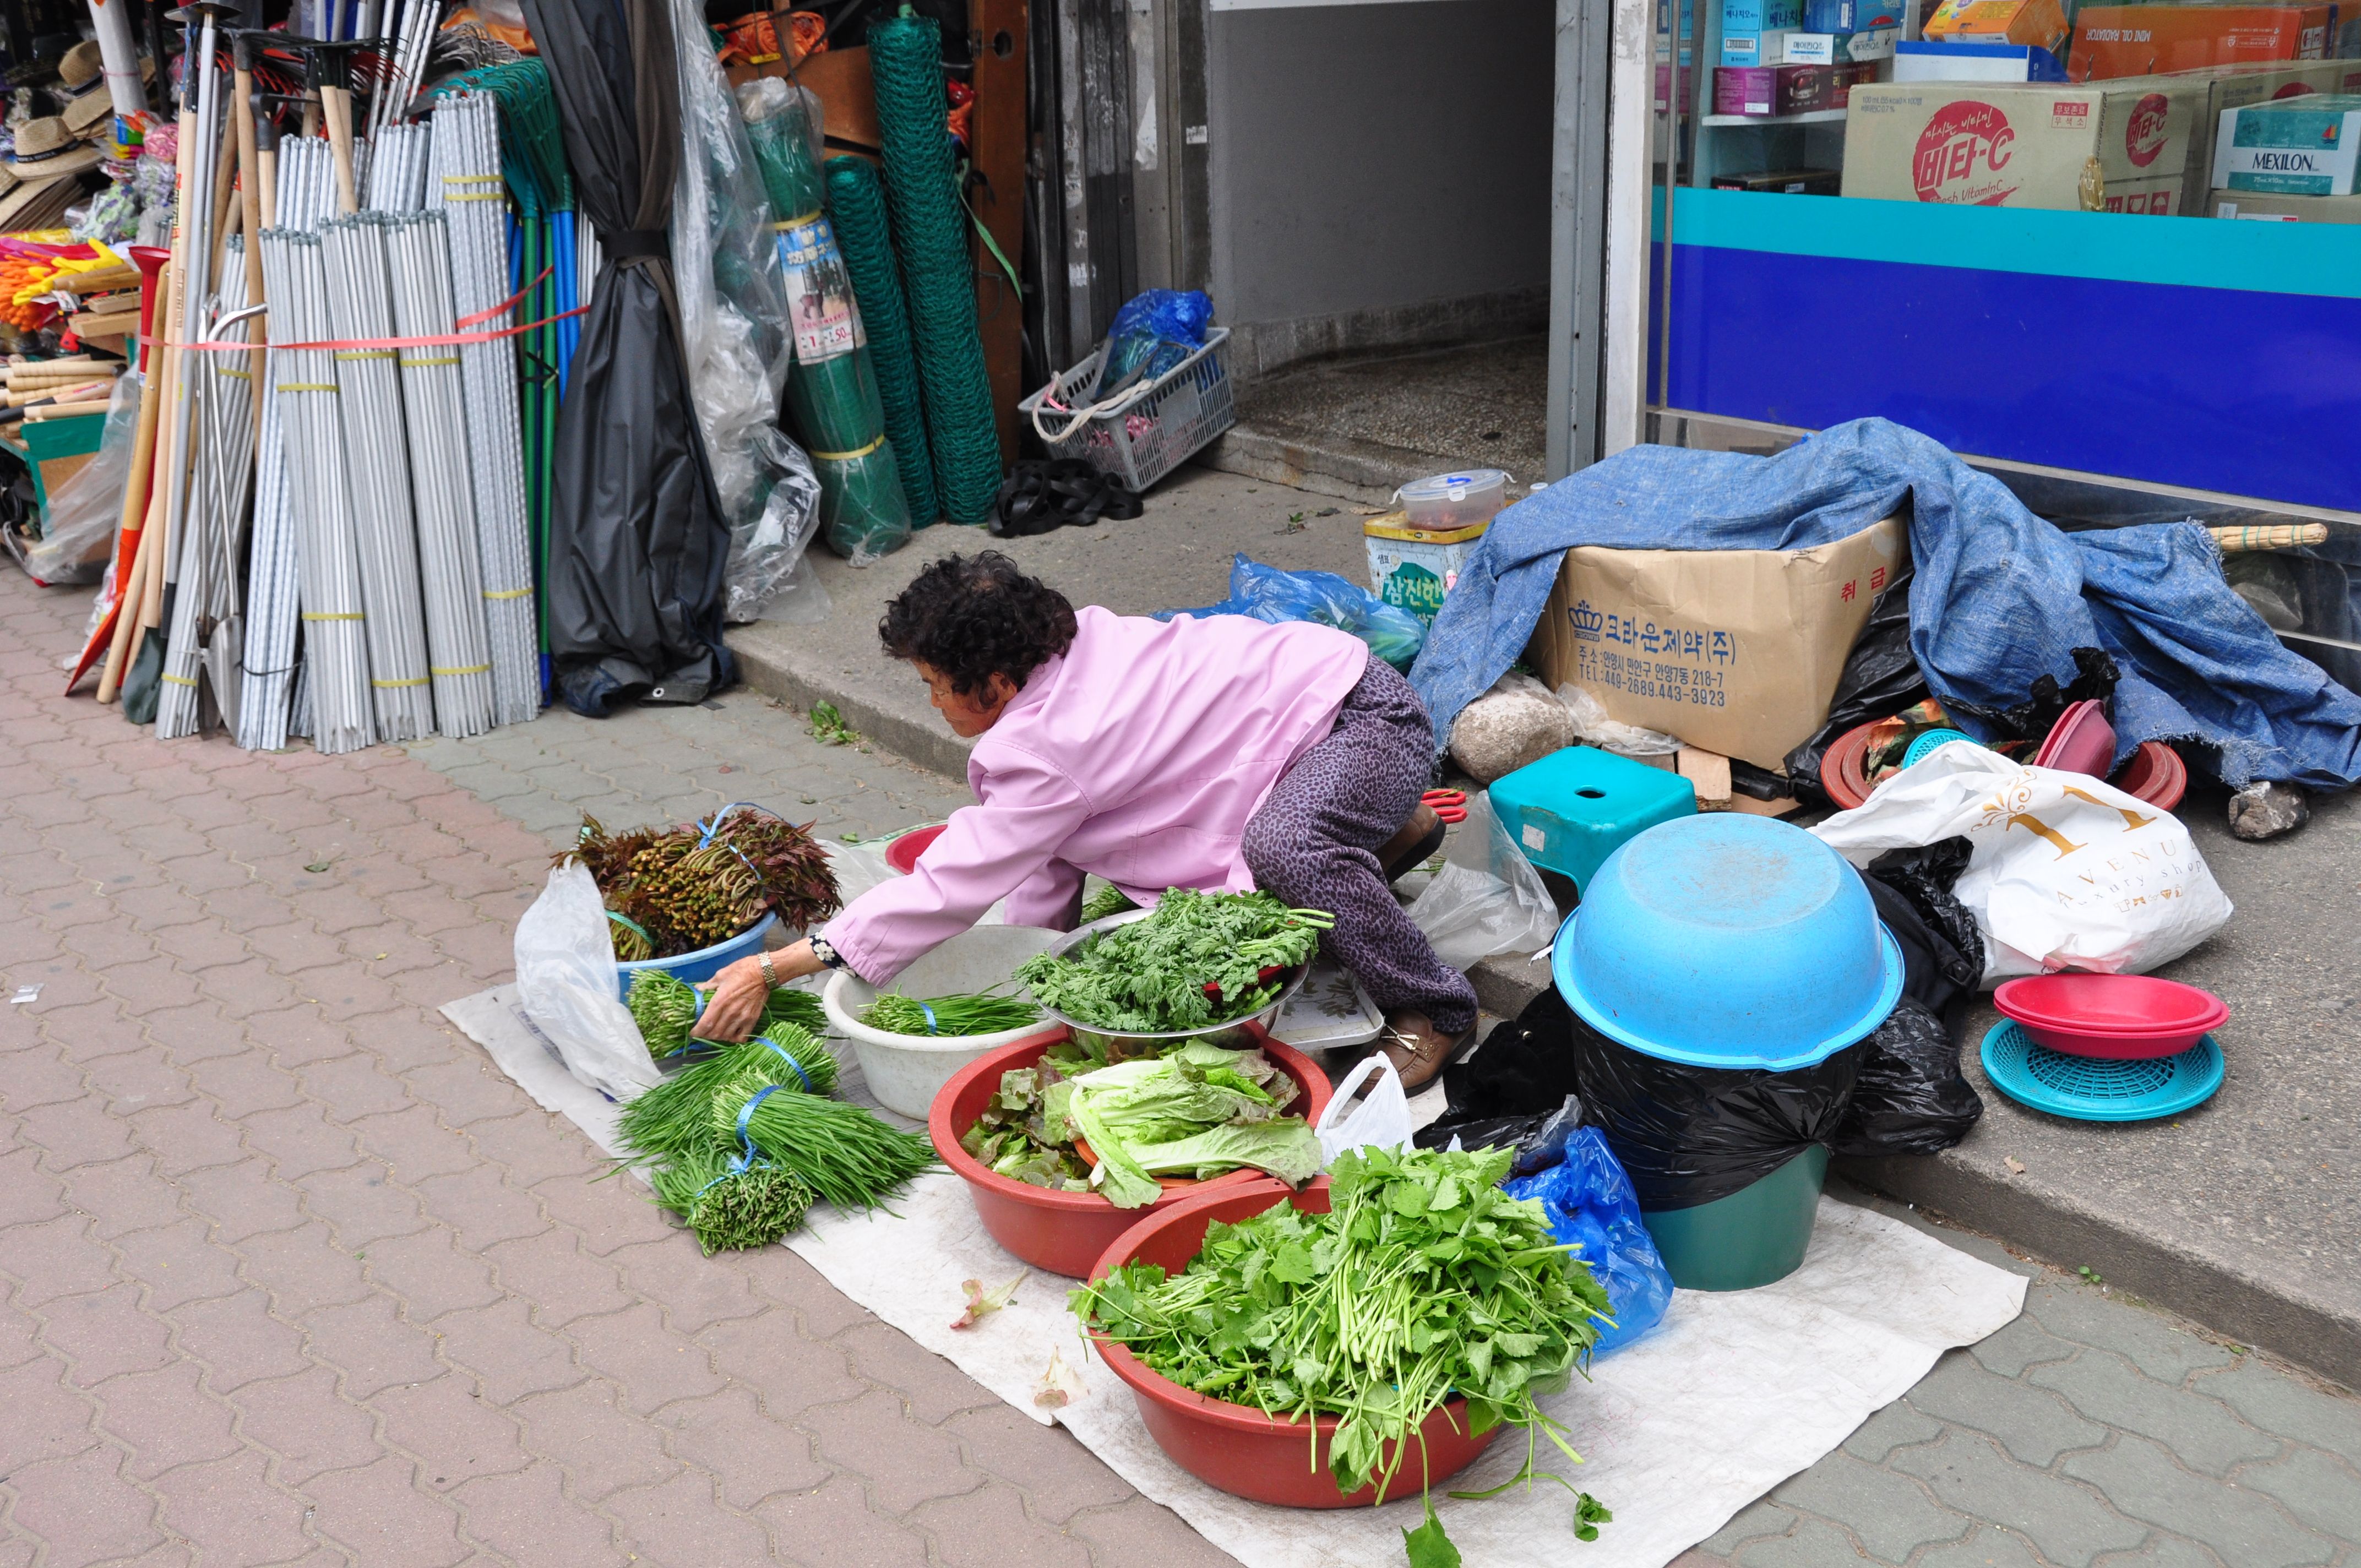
(832, 398)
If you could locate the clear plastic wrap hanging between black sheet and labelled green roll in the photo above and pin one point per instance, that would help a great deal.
(733, 318)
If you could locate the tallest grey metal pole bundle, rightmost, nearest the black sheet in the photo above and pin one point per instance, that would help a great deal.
(469, 190)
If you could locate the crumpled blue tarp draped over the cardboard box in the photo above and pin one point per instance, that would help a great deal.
(2001, 596)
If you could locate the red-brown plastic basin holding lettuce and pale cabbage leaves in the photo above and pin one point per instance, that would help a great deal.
(1068, 1231)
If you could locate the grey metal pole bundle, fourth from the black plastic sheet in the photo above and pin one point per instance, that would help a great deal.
(334, 695)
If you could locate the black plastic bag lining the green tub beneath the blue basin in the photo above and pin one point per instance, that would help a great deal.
(1694, 1135)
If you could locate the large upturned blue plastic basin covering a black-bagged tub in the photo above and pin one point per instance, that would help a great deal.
(1729, 941)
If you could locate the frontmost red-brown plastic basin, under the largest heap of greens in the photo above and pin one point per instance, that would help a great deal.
(1236, 1446)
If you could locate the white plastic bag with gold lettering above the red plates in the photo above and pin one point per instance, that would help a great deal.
(2067, 873)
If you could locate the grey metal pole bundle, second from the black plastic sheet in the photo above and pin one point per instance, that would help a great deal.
(438, 438)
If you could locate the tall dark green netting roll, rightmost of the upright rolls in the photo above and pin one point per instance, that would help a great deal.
(938, 275)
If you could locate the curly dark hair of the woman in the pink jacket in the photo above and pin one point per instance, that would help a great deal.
(976, 618)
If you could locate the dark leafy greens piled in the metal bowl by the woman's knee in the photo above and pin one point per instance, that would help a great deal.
(1191, 965)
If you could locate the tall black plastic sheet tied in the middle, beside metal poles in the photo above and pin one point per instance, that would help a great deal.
(639, 540)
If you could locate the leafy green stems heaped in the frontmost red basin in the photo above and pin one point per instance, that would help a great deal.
(1425, 1283)
